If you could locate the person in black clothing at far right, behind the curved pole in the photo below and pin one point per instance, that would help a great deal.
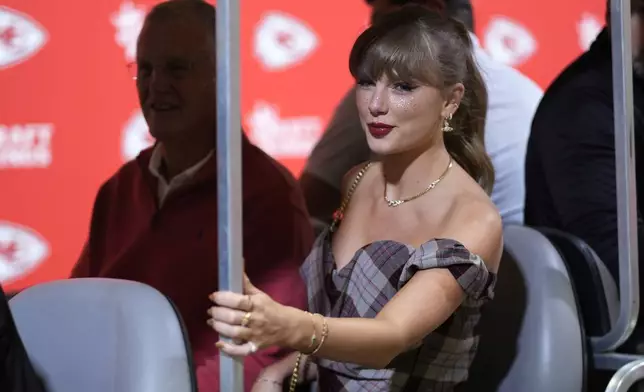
(570, 162)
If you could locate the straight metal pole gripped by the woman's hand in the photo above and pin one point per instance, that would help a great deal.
(229, 171)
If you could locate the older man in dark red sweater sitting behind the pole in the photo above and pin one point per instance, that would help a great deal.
(155, 220)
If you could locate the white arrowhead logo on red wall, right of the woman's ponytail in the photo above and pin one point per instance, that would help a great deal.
(509, 42)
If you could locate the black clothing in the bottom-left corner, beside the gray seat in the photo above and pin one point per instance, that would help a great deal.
(17, 374)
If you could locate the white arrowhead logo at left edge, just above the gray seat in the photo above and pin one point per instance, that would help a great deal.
(21, 251)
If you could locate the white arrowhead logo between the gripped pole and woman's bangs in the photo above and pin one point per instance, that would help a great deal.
(282, 41)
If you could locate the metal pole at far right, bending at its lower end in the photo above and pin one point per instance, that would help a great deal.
(625, 178)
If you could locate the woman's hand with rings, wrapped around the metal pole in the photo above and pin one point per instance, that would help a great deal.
(253, 320)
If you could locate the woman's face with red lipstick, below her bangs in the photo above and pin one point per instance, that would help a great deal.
(399, 117)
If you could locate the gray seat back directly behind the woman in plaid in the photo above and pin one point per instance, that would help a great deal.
(531, 335)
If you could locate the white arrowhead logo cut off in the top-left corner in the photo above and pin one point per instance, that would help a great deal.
(21, 37)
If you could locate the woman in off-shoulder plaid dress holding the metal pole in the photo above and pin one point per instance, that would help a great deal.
(395, 286)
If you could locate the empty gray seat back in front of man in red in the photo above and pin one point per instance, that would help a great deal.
(104, 335)
